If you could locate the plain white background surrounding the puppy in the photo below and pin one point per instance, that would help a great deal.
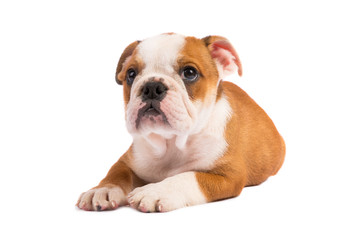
(62, 121)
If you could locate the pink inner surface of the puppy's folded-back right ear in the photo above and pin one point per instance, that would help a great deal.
(226, 55)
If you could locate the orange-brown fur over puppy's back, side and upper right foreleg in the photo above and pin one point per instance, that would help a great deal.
(255, 151)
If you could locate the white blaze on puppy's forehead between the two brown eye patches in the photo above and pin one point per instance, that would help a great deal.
(161, 52)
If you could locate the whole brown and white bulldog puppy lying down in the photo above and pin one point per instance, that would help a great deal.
(197, 138)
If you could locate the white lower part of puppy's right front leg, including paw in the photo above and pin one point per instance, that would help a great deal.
(172, 193)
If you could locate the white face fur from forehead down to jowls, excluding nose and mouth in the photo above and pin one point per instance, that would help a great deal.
(159, 55)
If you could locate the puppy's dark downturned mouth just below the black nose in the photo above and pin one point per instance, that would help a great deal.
(151, 111)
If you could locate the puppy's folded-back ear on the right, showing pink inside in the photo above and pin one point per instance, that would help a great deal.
(224, 55)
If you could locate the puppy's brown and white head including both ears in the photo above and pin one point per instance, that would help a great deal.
(171, 82)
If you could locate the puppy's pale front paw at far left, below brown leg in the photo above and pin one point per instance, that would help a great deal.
(103, 198)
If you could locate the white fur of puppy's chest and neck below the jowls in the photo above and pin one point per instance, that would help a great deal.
(200, 152)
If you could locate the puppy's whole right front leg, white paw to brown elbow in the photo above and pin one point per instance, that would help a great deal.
(184, 189)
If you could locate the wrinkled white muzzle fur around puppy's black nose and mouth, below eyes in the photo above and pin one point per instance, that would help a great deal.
(180, 112)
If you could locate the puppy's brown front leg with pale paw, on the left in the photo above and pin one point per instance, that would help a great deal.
(112, 190)
